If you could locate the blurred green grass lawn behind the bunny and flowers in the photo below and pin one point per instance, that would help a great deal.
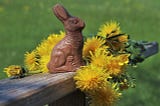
(25, 23)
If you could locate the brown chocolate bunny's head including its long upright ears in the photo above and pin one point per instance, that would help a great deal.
(70, 23)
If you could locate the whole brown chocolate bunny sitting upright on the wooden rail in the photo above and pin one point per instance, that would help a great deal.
(67, 54)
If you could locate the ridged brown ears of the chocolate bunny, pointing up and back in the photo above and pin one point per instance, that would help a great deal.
(60, 12)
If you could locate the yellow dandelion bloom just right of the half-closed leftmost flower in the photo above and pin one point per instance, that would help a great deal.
(32, 60)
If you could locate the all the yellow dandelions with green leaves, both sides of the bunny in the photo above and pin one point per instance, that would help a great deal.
(107, 54)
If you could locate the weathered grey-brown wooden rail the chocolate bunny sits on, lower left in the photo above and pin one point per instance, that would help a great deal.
(36, 90)
